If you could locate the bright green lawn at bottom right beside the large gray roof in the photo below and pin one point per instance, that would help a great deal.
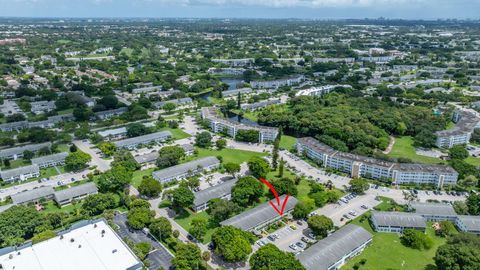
(387, 252)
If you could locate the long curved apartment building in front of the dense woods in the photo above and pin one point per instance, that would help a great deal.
(361, 166)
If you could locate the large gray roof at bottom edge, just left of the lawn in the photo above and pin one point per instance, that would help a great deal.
(330, 250)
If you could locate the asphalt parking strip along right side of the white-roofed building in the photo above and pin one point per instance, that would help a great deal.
(159, 257)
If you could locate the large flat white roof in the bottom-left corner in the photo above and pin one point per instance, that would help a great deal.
(89, 250)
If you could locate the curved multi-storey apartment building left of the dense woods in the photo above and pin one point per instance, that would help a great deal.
(222, 125)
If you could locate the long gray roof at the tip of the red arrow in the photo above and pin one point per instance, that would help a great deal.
(259, 215)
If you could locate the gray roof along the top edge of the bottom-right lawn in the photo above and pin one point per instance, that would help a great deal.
(398, 219)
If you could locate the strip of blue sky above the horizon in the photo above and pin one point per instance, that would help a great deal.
(322, 9)
